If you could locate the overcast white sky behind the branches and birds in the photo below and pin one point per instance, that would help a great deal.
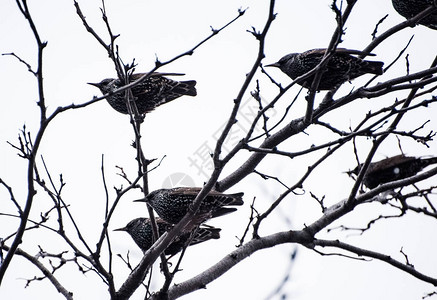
(75, 142)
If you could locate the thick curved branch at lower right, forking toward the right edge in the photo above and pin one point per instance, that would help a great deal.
(303, 237)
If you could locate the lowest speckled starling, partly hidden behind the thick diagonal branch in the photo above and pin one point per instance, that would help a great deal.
(140, 229)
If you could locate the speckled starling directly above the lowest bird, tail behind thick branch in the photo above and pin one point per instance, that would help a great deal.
(172, 204)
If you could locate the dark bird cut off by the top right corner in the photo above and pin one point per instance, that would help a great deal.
(410, 8)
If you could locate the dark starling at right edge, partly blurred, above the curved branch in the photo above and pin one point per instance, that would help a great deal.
(393, 168)
